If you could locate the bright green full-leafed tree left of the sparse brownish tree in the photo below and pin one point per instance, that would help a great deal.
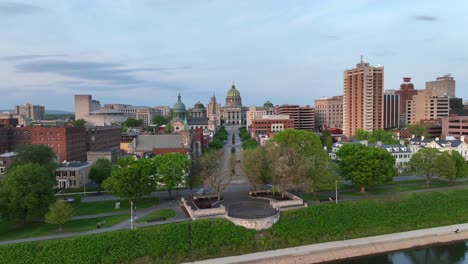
(172, 168)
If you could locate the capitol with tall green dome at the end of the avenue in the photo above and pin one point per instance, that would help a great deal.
(233, 111)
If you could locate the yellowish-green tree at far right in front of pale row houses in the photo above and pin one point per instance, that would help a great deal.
(426, 163)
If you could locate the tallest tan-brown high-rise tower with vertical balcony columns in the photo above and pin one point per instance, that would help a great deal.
(363, 89)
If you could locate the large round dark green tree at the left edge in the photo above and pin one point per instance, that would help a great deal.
(26, 191)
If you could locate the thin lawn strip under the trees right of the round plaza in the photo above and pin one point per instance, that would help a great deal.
(372, 190)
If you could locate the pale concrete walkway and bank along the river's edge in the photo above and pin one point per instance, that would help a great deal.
(346, 249)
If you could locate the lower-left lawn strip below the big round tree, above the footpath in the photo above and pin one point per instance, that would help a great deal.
(9, 232)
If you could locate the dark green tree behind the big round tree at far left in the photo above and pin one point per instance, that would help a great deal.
(37, 154)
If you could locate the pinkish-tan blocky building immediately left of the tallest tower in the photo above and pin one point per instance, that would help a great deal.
(329, 112)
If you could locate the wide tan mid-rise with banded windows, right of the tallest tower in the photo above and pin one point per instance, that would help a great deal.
(425, 106)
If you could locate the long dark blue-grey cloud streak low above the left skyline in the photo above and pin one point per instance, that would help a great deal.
(105, 74)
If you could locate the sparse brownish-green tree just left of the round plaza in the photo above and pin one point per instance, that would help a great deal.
(212, 168)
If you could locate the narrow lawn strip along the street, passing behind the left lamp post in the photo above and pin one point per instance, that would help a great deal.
(109, 206)
